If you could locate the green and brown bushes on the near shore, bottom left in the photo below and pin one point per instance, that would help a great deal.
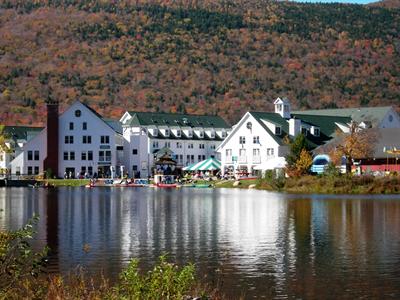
(21, 277)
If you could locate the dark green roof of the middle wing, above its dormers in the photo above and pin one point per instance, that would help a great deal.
(170, 119)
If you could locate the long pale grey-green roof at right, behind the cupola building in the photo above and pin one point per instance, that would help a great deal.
(373, 114)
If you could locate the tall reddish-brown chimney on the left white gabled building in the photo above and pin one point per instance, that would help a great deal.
(51, 161)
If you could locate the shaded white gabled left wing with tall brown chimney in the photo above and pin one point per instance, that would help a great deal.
(76, 142)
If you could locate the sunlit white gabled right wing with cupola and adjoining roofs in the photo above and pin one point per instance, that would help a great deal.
(261, 136)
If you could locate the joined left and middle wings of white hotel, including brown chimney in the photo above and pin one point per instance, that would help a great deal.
(80, 142)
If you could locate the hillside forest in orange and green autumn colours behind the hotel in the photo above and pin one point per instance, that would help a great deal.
(214, 57)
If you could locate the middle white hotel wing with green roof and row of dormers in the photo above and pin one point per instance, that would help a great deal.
(187, 138)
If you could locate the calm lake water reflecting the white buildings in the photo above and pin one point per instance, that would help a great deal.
(254, 244)
